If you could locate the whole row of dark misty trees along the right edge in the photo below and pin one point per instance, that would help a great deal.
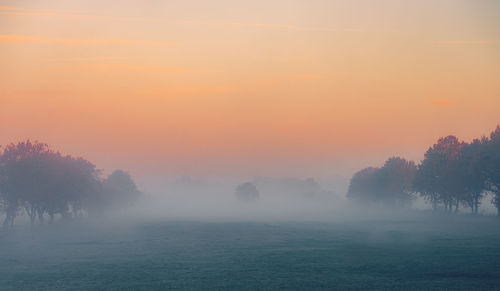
(453, 173)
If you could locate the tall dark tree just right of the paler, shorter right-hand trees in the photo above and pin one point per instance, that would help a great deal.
(436, 178)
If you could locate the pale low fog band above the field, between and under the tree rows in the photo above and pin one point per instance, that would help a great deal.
(278, 200)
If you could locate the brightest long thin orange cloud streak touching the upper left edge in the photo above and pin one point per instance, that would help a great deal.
(22, 39)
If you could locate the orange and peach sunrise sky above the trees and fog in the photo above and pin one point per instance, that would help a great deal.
(247, 88)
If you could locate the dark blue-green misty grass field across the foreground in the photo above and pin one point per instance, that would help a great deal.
(435, 252)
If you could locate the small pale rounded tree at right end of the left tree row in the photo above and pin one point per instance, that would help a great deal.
(119, 189)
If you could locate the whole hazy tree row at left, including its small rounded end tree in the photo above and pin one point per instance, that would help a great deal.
(37, 181)
